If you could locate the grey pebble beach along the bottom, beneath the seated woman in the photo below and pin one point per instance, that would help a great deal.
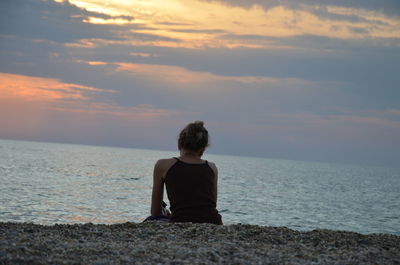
(163, 243)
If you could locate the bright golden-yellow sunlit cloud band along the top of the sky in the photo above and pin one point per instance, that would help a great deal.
(198, 24)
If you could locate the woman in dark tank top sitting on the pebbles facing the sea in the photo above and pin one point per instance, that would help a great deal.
(191, 182)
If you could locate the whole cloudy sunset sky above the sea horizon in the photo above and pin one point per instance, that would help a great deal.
(287, 79)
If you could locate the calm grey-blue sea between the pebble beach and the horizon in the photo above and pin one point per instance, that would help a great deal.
(49, 183)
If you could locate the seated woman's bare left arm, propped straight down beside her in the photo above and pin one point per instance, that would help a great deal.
(158, 189)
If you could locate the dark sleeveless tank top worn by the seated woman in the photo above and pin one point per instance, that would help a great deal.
(191, 191)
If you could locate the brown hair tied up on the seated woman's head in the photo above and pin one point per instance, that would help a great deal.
(193, 137)
